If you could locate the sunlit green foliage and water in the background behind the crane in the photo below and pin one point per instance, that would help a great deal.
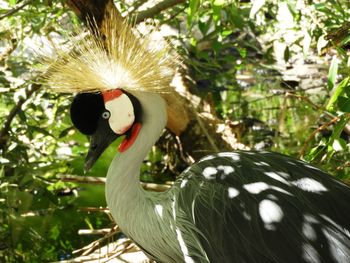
(279, 68)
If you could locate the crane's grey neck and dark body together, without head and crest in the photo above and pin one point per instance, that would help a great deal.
(229, 207)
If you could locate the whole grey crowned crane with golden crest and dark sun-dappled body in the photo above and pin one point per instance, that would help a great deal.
(228, 207)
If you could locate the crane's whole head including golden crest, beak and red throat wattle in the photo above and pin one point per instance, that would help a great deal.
(96, 67)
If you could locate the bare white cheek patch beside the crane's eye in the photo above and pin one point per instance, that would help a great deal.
(122, 113)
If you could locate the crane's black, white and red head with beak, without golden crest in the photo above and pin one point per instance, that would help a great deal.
(105, 116)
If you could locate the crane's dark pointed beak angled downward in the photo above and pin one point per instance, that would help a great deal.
(99, 141)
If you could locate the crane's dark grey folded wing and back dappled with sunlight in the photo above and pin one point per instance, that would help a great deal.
(266, 207)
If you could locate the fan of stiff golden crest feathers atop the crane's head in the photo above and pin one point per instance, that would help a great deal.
(118, 59)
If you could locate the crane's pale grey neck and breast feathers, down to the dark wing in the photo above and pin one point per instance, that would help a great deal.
(148, 218)
